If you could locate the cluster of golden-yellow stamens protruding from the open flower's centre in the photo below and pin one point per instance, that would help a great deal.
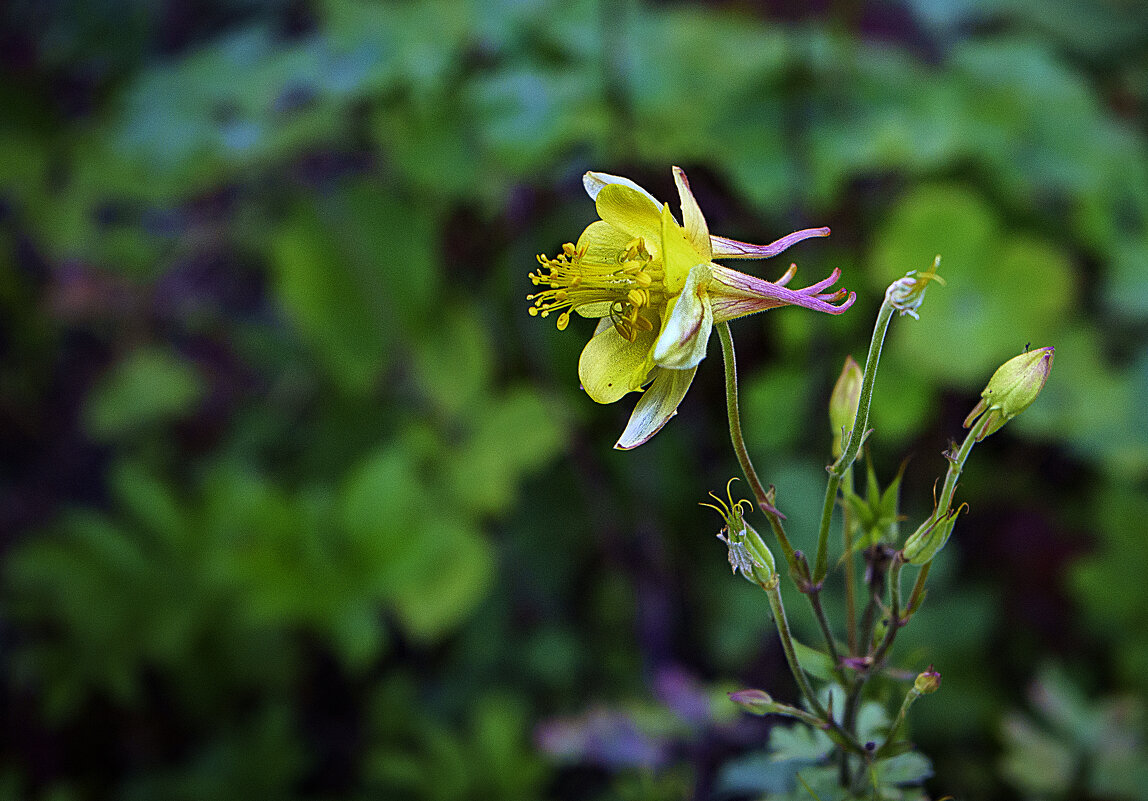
(626, 287)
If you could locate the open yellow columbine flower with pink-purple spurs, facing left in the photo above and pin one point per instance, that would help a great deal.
(658, 294)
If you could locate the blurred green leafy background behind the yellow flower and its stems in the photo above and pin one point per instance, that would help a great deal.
(299, 503)
